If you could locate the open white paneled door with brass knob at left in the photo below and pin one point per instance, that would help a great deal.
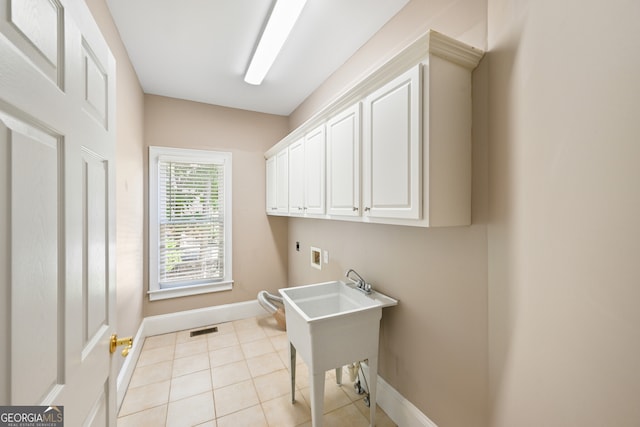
(57, 228)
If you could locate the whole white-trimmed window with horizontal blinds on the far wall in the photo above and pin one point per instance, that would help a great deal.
(189, 222)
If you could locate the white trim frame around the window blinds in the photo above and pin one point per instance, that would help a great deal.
(179, 154)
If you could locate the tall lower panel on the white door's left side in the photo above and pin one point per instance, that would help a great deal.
(36, 338)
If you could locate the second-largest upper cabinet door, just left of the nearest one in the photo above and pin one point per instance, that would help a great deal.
(343, 163)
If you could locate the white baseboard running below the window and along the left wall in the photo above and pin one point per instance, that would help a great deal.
(180, 321)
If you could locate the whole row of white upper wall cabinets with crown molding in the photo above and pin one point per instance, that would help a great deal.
(398, 144)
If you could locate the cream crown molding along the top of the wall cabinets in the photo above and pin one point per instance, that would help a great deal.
(430, 43)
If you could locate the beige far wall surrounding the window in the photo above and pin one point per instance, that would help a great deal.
(259, 242)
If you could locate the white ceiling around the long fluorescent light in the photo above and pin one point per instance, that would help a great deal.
(199, 49)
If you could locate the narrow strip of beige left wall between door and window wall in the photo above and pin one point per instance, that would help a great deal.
(129, 178)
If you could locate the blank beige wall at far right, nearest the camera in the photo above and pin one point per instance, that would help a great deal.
(564, 234)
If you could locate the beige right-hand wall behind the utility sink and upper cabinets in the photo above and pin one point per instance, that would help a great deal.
(433, 347)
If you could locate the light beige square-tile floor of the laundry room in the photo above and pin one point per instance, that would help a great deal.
(237, 376)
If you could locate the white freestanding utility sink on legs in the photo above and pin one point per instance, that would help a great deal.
(330, 325)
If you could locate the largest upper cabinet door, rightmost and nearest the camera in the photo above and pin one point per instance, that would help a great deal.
(392, 150)
